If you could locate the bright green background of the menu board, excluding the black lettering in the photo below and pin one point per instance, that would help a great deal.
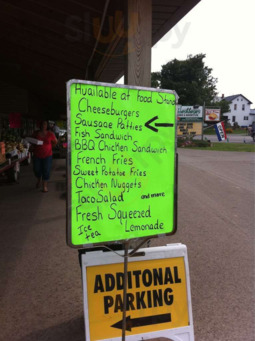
(160, 168)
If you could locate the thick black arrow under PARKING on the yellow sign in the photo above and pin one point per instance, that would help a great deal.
(143, 321)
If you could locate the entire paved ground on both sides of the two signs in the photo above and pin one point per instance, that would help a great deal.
(40, 276)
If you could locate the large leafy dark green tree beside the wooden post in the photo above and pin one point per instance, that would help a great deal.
(190, 78)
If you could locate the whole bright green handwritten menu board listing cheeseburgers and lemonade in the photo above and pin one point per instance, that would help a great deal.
(121, 162)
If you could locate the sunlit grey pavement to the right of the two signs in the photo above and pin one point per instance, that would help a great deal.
(216, 222)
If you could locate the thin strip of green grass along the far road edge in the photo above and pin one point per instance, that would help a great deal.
(228, 147)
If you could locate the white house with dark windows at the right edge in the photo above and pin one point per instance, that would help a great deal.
(240, 111)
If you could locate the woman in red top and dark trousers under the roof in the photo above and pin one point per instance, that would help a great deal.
(43, 155)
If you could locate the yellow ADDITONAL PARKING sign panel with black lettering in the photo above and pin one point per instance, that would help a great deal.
(157, 295)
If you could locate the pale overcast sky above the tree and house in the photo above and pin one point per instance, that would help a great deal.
(225, 31)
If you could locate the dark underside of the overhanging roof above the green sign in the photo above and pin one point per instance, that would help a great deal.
(46, 43)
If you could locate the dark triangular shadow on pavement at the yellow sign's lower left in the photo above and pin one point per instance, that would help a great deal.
(70, 330)
